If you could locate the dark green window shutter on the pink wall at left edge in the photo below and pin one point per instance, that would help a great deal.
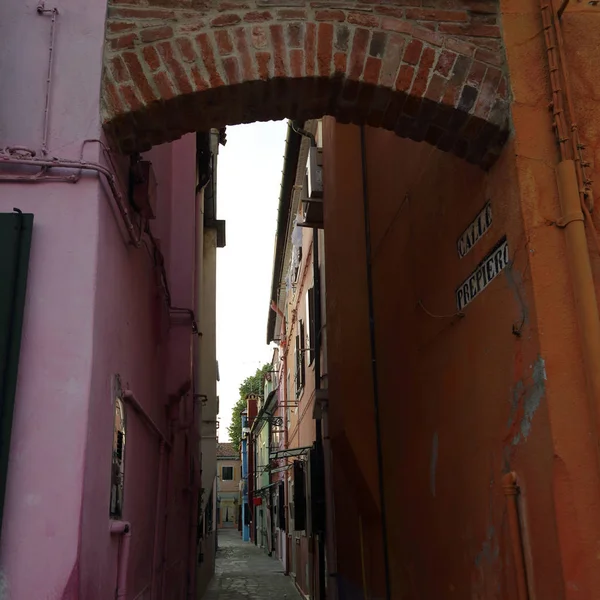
(15, 242)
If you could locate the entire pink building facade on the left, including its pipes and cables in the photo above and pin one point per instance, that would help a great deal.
(103, 322)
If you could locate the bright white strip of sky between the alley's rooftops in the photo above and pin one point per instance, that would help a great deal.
(249, 172)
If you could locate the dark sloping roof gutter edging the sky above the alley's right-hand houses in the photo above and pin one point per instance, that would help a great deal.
(290, 165)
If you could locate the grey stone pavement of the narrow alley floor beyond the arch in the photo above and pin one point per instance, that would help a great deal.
(245, 572)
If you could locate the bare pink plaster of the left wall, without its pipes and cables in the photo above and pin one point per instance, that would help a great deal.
(93, 309)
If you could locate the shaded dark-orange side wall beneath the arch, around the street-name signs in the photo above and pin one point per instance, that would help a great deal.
(462, 399)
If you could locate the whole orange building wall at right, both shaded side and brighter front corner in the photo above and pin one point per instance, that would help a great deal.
(463, 400)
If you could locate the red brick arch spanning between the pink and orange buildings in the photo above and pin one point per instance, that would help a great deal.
(430, 70)
